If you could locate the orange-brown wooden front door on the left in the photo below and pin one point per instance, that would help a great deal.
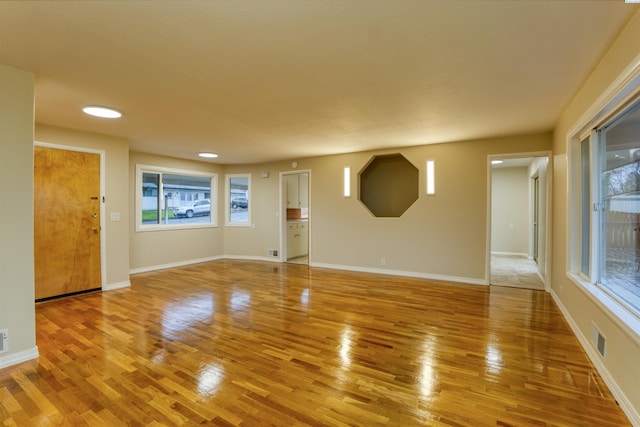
(66, 222)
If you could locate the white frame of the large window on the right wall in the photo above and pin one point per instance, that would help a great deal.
(621, 94)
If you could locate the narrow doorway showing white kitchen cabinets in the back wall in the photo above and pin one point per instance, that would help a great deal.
(294, 193)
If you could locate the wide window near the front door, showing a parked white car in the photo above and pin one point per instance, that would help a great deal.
(168, 198)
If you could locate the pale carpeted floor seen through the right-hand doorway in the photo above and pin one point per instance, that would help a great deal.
(515, 271)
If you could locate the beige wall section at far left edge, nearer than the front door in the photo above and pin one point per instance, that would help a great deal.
(17, 311)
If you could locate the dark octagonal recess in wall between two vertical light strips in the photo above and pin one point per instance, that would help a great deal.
(388, 185)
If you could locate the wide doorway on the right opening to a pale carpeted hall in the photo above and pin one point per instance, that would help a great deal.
(518, 221)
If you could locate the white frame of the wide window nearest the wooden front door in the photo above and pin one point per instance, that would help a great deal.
(141, 169)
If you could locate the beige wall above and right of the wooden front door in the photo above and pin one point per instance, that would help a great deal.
(116, 193)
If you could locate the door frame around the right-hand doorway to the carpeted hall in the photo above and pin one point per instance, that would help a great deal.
(547, 214)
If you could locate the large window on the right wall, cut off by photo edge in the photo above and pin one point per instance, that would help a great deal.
(609, 217)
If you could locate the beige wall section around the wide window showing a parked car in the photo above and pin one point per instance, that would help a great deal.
(153, 249)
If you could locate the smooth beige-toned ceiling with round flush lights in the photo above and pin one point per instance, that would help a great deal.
(265, 80)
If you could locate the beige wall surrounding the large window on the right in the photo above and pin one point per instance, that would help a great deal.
(623, 348)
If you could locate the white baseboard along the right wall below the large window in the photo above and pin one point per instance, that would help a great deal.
(596, 359)
